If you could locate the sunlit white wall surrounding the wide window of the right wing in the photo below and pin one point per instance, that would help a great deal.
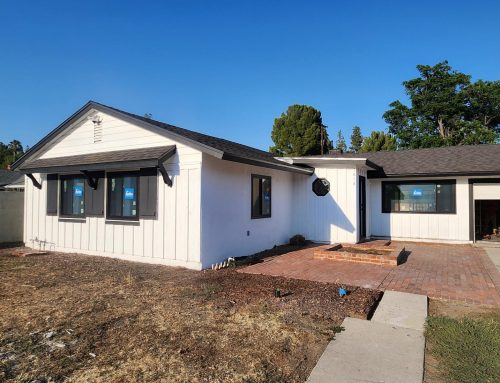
(421, 226)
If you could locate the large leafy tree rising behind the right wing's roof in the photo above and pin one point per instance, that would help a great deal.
(445, 109)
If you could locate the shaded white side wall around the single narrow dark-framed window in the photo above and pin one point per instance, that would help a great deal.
(226, 210)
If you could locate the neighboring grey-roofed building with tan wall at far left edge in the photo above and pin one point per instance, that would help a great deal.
(11, 206)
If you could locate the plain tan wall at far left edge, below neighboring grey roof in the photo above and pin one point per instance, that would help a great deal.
(12, 214)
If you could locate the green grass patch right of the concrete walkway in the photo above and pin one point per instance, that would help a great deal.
(467, 350)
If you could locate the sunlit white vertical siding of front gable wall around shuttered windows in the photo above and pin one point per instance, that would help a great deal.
(173, 238)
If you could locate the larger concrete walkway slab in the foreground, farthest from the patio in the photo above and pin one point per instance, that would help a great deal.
(369, 351)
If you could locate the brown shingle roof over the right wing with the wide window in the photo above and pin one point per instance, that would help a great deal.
(443, 161)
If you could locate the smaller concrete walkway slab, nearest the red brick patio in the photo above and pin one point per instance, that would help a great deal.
(402, 309)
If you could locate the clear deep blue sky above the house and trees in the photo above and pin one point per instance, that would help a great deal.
(228, 68)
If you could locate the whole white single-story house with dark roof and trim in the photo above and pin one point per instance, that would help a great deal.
(108, 182)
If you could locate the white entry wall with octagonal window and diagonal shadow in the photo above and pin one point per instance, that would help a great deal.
(334, 217)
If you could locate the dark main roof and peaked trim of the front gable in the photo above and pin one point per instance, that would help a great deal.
(219, 147)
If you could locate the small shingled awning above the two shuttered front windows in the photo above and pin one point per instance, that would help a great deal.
(144, 157)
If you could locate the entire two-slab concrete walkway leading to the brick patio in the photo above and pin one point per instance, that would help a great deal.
(388, 349)
